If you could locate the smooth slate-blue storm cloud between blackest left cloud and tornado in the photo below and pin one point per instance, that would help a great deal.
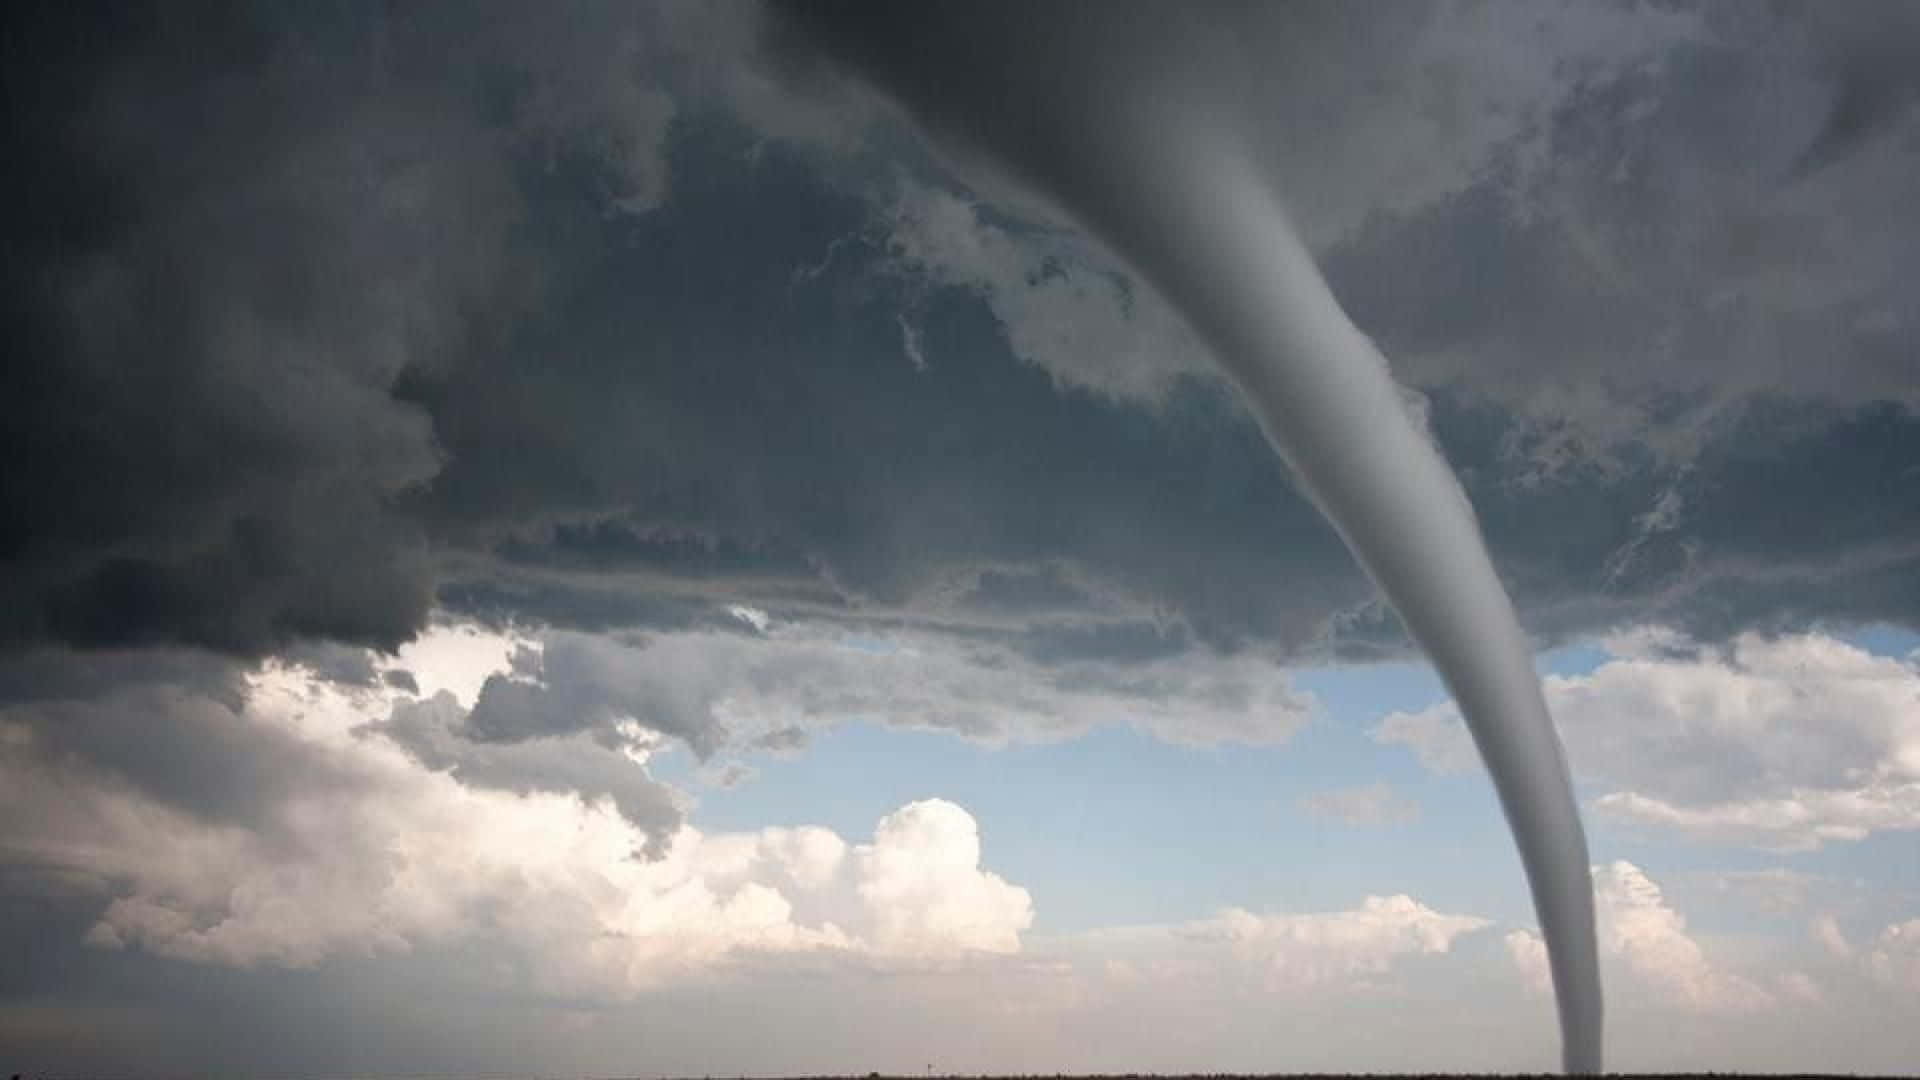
(769, 437)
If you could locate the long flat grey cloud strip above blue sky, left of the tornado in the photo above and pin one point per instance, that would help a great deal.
(744, 691)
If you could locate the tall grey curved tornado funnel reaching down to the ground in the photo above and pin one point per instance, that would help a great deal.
(1122, 118)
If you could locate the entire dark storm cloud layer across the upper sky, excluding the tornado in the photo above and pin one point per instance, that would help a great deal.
(320, 328)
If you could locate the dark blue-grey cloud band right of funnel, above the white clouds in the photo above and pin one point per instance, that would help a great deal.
(1796, 514)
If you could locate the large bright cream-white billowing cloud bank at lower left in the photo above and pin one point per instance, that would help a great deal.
(341, 843)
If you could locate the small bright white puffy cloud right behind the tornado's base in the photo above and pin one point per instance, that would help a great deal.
(1646, 941)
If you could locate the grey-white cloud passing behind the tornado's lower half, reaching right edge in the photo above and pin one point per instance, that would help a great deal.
(1771, 743)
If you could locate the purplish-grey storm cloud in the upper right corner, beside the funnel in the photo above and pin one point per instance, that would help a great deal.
(1721, 222)
